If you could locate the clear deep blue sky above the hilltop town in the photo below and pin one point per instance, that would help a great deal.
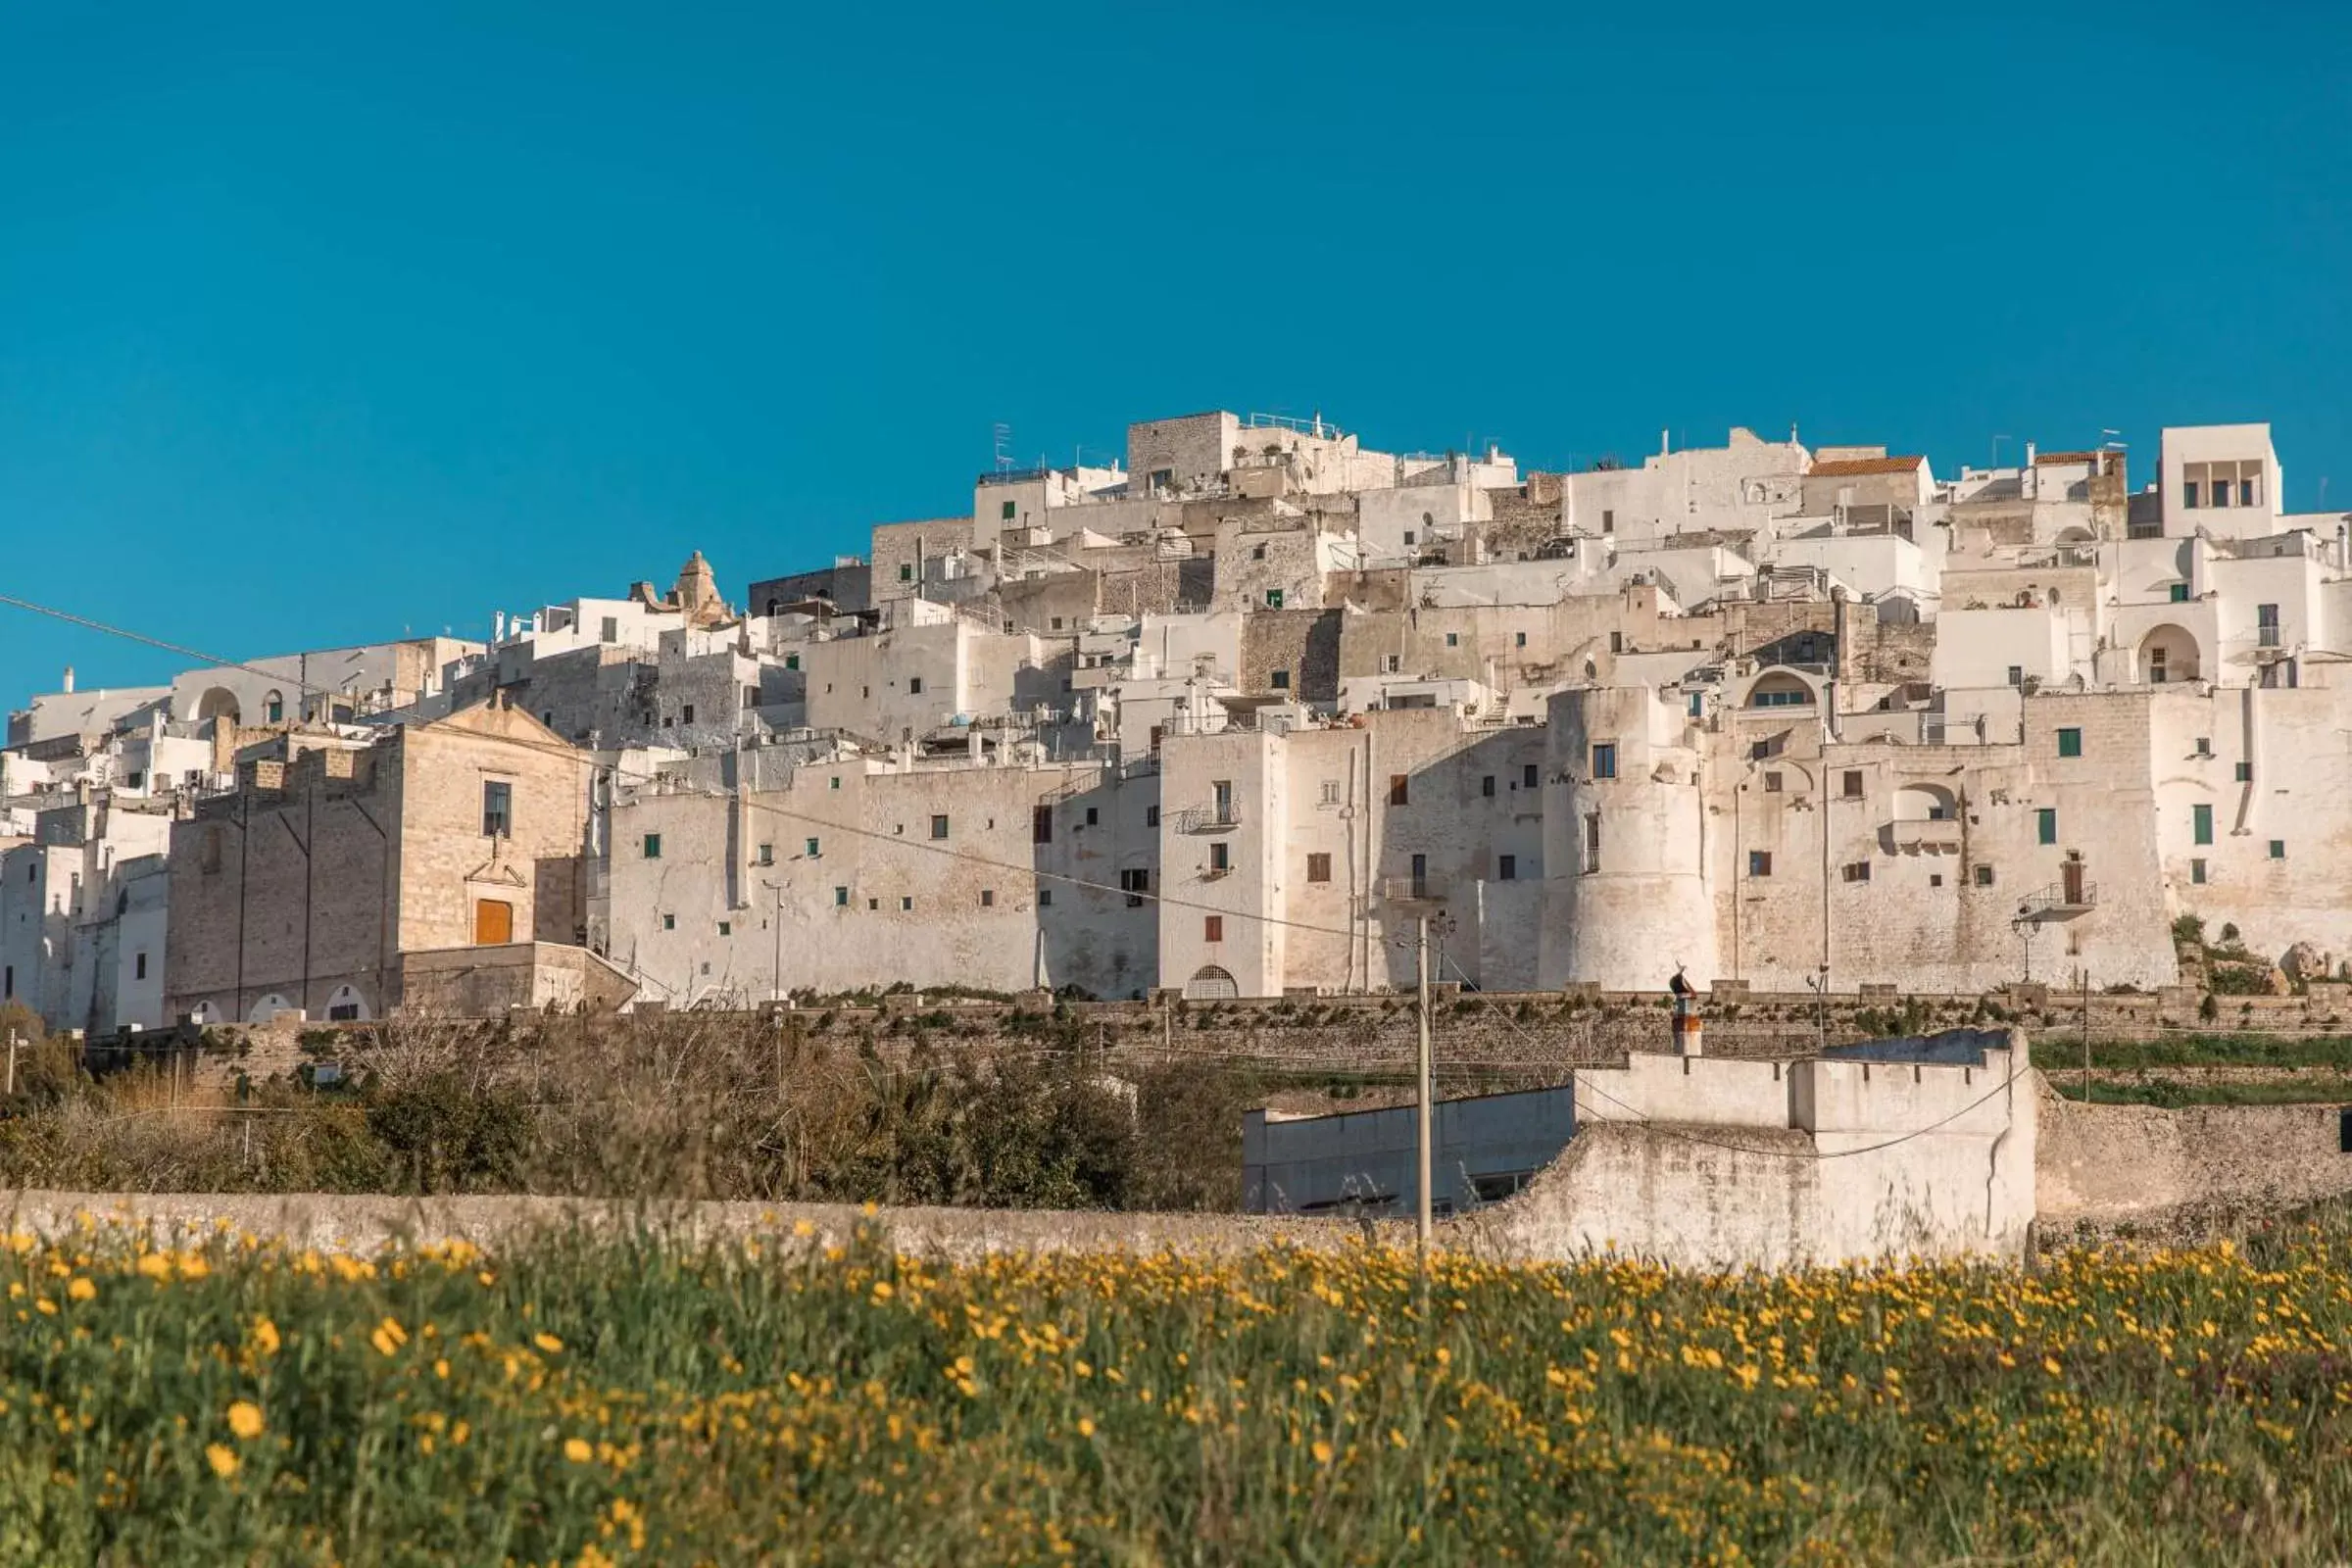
(335, 323)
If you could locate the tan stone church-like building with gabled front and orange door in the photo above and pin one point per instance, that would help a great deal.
(330, 862)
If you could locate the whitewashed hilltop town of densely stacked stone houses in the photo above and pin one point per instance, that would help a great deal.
(1229, 721)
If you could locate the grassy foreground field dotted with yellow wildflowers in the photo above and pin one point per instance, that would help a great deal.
(592, 1402)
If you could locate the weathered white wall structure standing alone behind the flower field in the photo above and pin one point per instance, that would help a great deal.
(1709, 1162)
